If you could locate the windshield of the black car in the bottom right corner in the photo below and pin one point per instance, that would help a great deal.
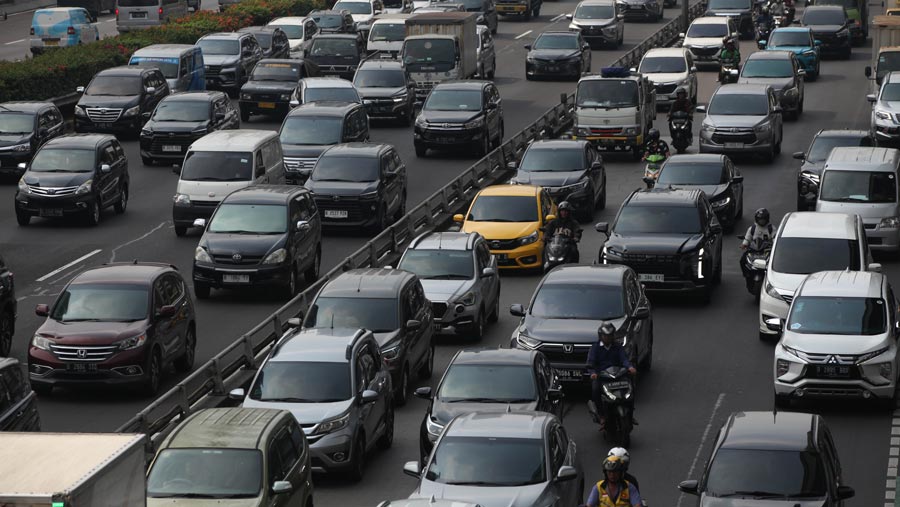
(795, 474)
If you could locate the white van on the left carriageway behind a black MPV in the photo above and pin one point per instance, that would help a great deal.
(220, 163)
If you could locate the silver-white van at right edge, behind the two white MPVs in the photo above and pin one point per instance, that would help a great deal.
(864, 181)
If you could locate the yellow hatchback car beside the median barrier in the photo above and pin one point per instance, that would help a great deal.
(511, 218)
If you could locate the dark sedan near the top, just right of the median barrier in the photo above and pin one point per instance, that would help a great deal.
(558, 54)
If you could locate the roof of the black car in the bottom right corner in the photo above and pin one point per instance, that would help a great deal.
(769, 431)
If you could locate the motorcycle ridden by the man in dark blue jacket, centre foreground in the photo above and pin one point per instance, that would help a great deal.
(618, 390)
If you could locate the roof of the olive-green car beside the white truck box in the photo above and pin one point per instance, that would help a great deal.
(234, 428)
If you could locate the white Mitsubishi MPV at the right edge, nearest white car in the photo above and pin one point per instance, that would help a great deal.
(840, 339)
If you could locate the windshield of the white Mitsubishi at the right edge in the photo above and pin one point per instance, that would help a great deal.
(833, 315)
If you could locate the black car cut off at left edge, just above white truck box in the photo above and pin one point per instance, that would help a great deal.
(18, 403)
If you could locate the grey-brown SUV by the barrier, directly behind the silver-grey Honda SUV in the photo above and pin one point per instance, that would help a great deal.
(392, 304)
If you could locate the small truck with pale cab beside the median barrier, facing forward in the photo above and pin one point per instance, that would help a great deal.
(614, 110)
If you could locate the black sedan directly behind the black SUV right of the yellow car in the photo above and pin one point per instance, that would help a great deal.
(716, 175)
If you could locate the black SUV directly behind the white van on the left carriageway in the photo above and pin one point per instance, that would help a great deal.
(182, 118)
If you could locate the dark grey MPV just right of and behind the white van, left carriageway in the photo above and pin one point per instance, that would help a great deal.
(311, 128)
